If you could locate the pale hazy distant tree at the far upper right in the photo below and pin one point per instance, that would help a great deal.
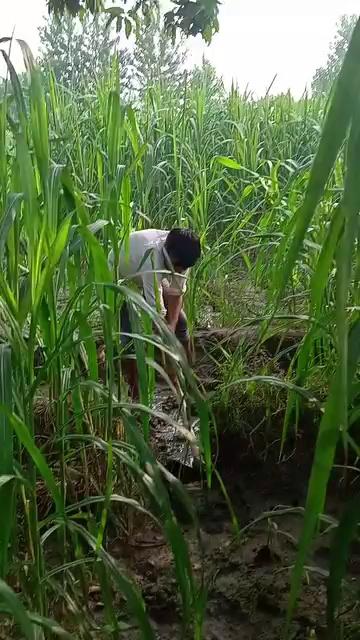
(325, 76)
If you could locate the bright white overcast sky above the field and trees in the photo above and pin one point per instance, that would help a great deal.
(257, 39)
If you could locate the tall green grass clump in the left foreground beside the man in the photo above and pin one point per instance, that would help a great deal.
(56, 293)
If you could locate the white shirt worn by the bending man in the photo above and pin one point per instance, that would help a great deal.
(145, 263)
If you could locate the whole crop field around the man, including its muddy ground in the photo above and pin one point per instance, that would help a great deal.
(99, 536)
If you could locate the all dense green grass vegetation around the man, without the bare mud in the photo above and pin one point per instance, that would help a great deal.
(273, 193)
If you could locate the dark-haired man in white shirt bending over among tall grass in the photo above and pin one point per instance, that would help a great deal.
(151, 253)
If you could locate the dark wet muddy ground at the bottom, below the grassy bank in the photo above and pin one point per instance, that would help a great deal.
(247, 576)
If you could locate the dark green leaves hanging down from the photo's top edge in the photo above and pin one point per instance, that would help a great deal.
(192, 17)
